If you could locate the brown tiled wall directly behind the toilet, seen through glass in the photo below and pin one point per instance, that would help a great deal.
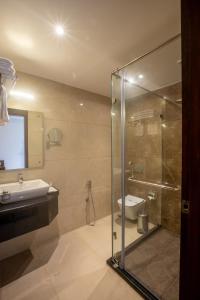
(144, 149)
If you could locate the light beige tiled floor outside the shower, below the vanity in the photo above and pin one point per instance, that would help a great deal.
(72, 268)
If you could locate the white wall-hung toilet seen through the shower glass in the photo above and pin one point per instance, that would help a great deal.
(133, 205)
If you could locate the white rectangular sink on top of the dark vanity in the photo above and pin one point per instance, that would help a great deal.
(14, 192)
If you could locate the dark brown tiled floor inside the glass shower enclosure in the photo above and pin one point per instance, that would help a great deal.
(155, 262)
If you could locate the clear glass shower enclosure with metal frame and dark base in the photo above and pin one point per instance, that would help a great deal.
(146, 171)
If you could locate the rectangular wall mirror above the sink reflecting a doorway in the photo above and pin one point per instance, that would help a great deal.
(22, 140)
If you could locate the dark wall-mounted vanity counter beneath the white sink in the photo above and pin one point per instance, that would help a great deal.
(27, 215)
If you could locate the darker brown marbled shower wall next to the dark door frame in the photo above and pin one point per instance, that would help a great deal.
(172, 154)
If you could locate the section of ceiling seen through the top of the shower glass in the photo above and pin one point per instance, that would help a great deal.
(159, 69)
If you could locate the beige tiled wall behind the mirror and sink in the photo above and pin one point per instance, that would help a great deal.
(85, 154)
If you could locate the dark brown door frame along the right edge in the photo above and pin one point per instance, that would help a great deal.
(190, 222)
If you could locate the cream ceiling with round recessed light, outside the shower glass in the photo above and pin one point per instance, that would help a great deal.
(102, 35)
